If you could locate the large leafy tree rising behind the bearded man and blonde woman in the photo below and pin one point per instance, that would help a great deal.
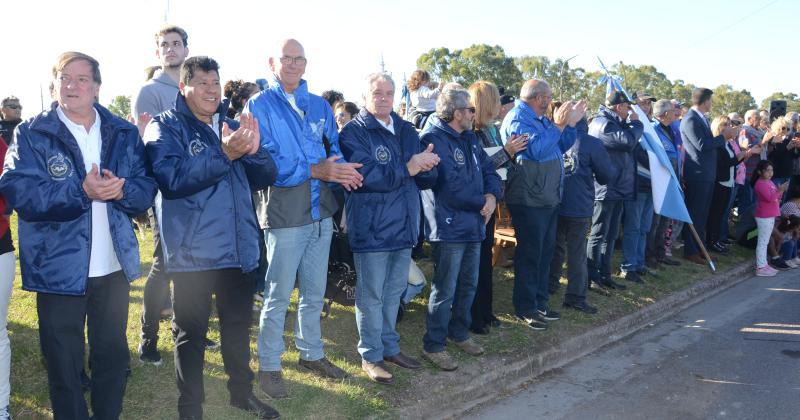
(467, 66)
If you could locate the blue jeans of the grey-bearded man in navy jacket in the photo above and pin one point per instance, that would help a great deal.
(453, 288)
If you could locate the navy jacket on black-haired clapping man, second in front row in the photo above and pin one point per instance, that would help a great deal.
(204, 208)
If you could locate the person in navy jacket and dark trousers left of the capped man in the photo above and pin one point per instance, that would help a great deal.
(585, 162)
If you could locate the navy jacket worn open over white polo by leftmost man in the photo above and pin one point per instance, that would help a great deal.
(42, 180)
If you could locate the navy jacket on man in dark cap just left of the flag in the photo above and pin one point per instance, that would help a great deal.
(620, 138)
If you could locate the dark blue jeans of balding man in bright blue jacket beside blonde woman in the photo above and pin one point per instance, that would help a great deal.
(535, 230)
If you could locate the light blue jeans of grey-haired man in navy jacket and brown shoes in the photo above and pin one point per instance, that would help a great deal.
(382, 278)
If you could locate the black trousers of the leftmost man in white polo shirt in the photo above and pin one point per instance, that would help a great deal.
(103, 310)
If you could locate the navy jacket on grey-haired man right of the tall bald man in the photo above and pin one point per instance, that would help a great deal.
(384, 214)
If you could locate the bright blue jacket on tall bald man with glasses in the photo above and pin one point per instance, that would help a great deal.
(295, 144)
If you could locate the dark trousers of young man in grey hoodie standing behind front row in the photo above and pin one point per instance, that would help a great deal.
(156, 291)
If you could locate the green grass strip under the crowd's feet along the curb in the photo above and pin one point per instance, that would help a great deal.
(152, 394)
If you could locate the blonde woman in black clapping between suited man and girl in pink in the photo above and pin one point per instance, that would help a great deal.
(727, 160)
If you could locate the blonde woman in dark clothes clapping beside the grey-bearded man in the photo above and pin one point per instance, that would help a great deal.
(485, 97)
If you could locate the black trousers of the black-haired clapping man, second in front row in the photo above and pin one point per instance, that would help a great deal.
(192, 307)
